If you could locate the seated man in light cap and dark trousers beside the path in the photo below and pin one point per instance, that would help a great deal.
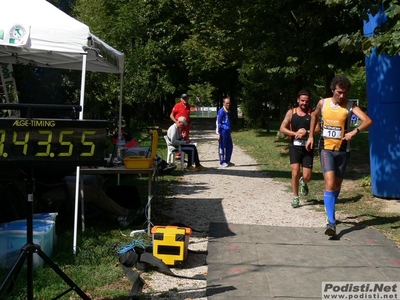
(175, 139)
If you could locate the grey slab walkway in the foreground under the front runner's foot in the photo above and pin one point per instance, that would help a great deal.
(267, 262)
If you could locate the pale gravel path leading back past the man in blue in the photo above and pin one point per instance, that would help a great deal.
(239, 194)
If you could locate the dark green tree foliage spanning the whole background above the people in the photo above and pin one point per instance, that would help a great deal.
(259, 53)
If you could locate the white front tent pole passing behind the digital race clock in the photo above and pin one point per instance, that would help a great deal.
(77, 182)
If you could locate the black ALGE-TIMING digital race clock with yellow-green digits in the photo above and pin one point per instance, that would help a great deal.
(26, 142)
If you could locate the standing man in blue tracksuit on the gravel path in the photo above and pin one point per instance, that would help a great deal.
(224, 129)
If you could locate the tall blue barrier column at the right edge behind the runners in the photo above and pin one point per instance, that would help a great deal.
(383, 90)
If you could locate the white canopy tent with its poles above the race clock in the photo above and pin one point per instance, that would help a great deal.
(36, 32)
